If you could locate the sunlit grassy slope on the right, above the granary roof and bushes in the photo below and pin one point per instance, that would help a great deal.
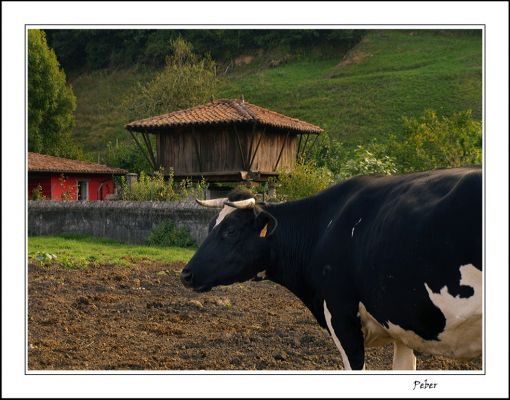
(392, 73)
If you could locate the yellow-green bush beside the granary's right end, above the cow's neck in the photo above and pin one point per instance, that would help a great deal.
(305, 180)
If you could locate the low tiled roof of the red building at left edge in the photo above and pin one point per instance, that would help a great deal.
(43, 163)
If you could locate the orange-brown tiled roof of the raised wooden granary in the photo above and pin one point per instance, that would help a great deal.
(221, 112)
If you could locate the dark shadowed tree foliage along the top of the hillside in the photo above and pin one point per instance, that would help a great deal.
(92, 49)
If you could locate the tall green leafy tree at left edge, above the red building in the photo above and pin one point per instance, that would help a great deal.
(51, 101)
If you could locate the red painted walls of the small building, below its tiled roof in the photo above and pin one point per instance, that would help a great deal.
(53, 188)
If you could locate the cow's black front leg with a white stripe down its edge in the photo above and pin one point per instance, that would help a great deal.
(345, 329)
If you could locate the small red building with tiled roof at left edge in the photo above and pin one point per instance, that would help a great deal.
(65, 179)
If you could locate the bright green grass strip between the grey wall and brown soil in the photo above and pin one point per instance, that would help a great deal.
(80, 251)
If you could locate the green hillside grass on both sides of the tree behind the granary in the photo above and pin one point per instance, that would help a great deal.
(355, 97)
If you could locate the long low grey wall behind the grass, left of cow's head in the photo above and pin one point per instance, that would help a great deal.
(125, 221)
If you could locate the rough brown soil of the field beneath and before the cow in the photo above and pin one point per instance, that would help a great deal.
(142, 318)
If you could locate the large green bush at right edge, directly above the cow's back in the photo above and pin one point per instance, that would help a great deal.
(432, 142)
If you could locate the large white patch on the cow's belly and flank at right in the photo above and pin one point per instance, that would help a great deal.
(462, 335)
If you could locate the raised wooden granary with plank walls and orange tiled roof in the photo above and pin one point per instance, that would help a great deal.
(223, 141)
